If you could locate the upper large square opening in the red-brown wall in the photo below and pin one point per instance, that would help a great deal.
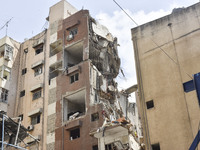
(73, 55)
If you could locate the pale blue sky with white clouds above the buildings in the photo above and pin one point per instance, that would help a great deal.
(29, 17)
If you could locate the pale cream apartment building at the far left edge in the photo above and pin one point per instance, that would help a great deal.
(8, 56)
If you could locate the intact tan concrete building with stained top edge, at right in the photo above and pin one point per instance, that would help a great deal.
(167, 62)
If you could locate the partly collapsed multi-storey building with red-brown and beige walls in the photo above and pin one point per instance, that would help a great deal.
(65, 91)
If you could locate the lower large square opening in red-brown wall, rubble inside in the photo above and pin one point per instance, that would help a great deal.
(74, 106)
